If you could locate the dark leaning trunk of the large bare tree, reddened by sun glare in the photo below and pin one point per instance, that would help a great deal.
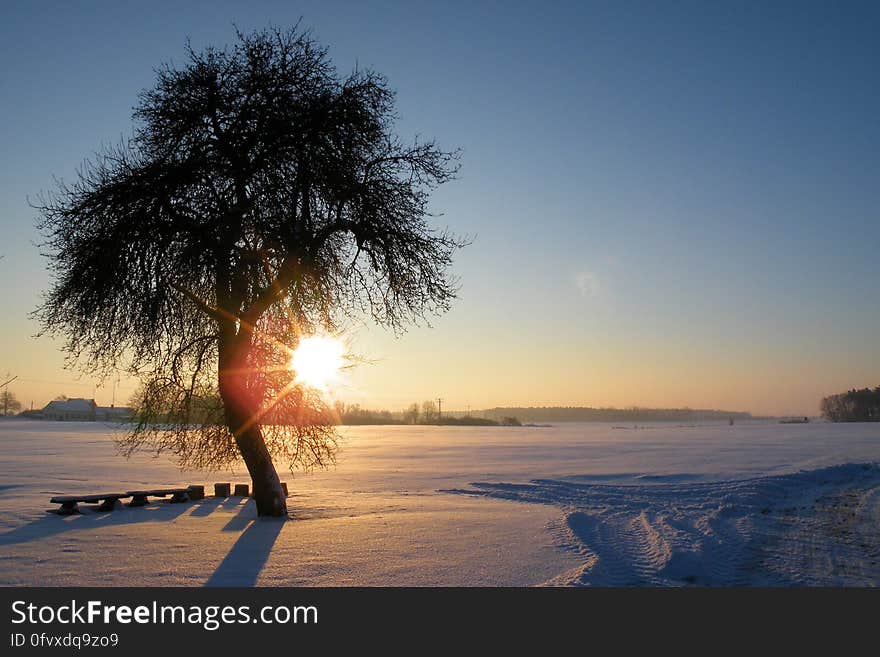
(241, 407)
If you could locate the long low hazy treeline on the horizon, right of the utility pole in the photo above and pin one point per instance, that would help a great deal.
(587, 414)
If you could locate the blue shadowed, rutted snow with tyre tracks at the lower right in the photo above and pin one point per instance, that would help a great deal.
(810, 528)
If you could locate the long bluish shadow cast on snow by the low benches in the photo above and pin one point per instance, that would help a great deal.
(52, 524)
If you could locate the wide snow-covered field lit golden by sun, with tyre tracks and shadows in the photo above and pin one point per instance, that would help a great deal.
(576, 504)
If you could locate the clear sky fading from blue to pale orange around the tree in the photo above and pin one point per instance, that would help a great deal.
(673, 203)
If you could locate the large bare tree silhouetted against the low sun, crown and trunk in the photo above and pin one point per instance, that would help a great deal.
(261, 197)
